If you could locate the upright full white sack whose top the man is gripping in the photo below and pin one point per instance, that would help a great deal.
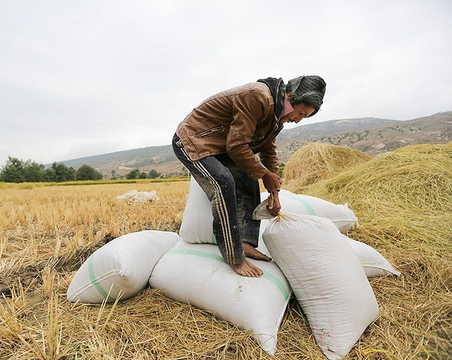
(327, 279)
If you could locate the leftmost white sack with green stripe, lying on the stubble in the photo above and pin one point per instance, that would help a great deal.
(121, 266)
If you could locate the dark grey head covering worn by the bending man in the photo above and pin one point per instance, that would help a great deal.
(308, 89)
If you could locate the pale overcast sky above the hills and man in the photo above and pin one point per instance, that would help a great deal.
(88, 77)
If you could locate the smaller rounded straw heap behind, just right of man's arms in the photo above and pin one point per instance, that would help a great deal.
(318, 161)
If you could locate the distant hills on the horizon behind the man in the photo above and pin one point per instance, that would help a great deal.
(370, 135)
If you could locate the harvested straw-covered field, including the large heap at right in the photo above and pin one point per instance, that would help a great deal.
(403, 201)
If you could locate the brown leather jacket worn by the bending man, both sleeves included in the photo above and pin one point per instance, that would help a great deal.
(239, 122)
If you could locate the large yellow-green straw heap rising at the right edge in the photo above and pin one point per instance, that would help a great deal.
(410, 189)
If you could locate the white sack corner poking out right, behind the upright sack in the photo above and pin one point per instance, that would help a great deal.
(373, 263)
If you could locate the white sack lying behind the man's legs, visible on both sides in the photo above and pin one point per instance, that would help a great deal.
(197, 221)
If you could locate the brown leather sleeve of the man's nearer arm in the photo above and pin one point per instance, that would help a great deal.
(247, 109)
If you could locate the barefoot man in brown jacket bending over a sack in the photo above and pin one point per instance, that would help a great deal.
(218, 142)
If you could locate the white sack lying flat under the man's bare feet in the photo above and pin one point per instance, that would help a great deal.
(197, 274)
